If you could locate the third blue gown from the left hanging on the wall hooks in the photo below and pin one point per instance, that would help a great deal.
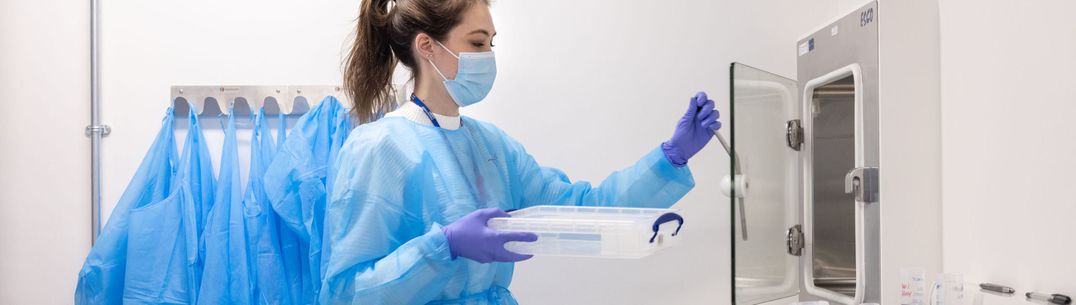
(228, 279)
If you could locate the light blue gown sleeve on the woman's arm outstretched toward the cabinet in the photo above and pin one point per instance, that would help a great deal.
(652, 183)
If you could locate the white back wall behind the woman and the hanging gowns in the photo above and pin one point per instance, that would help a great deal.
(589, 87)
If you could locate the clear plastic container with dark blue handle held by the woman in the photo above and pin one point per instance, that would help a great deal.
(596, 232)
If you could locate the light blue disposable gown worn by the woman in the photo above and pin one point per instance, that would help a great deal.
(399, 183)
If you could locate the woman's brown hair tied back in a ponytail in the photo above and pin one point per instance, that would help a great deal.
(385, 35)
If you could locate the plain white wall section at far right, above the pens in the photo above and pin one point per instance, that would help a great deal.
(1009, 155)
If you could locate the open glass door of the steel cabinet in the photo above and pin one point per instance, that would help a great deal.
(767, 183)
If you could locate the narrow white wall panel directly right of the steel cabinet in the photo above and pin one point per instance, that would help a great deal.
(911, 147)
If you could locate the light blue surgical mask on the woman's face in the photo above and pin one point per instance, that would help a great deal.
(474, 78)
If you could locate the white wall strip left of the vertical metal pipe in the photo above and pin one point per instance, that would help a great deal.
(45, 156)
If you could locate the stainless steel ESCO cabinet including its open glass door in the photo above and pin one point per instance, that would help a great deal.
(805, 174)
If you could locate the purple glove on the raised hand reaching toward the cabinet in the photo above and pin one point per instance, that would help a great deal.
(693, 132)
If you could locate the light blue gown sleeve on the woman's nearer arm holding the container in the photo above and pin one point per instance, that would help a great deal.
(383, 252)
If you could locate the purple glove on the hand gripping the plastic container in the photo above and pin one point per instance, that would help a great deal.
(471, 238)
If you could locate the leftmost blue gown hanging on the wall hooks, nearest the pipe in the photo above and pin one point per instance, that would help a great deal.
(102, 278)
